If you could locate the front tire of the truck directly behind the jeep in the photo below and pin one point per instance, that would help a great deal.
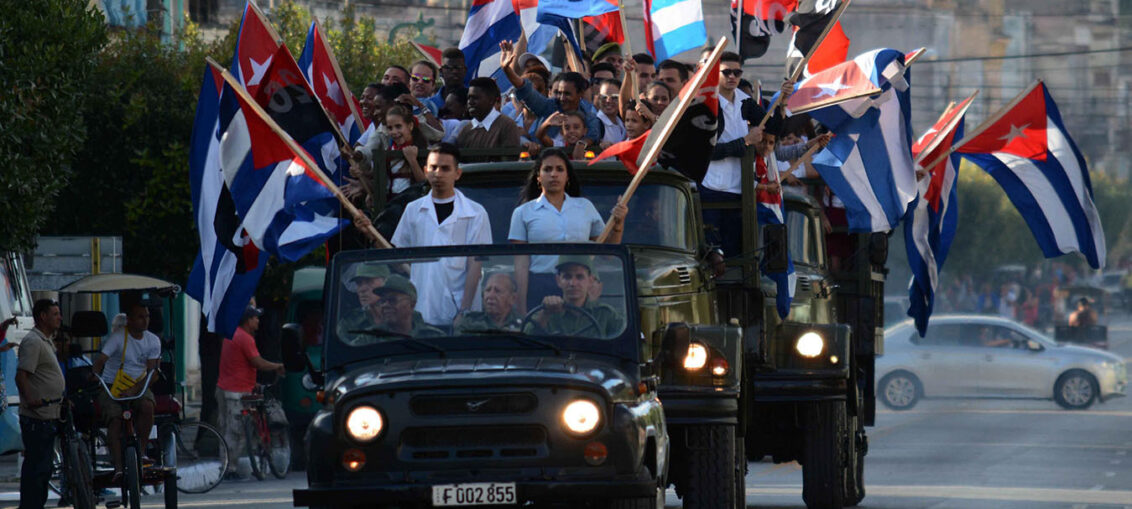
(710, 468)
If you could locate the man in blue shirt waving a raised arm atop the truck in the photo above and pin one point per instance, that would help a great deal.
(567, 92)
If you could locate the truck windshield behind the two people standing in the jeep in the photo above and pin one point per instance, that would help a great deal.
(659, 215)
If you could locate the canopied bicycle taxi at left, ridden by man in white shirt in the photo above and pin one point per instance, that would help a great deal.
(190, 456)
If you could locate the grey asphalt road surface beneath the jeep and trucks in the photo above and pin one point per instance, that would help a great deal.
(944, 454)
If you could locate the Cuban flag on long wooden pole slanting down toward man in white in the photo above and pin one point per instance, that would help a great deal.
(285, 206)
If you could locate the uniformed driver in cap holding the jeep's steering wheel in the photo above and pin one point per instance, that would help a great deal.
(576, 278)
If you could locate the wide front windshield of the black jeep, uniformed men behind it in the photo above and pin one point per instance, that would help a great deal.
(417, 304)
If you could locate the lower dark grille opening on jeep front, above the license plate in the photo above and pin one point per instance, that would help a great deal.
(521, 442)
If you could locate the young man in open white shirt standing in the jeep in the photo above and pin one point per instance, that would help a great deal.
(444, 218)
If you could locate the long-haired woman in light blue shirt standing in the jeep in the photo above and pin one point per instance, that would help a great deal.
(553, 211)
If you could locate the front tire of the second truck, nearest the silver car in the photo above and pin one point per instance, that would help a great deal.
(824, 472)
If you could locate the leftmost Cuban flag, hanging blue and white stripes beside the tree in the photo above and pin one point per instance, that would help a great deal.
(228, 269)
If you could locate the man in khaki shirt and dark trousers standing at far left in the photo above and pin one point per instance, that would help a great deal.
(41, 390)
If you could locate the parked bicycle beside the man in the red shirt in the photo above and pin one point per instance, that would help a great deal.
(268, 448)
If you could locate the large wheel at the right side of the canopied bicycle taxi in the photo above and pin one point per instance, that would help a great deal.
(202, 458)
